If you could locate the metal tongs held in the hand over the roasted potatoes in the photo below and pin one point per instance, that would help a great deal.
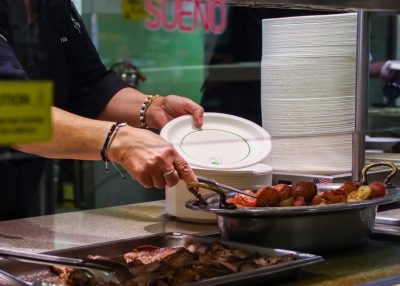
(217, 187)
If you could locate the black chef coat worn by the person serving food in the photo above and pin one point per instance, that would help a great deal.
(57, 47)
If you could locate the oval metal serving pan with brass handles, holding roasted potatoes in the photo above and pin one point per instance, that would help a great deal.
(316, 229)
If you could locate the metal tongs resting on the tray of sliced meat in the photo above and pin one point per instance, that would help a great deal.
(108, 271)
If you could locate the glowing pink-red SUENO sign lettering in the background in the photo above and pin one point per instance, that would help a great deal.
(186, 15)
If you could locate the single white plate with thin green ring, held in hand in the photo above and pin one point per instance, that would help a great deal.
(224, 142)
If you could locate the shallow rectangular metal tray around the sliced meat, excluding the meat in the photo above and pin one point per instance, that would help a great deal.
(33, 272)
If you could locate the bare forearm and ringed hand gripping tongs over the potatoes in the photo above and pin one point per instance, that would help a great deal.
(144, 154)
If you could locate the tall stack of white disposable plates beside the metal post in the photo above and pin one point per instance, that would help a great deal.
(308, 83)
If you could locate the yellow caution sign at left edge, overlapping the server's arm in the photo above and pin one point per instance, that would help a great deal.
(25, 111)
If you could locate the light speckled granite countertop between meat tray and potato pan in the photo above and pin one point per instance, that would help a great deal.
(59, 231)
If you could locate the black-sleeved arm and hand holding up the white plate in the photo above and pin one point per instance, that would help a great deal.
(101, 94)
